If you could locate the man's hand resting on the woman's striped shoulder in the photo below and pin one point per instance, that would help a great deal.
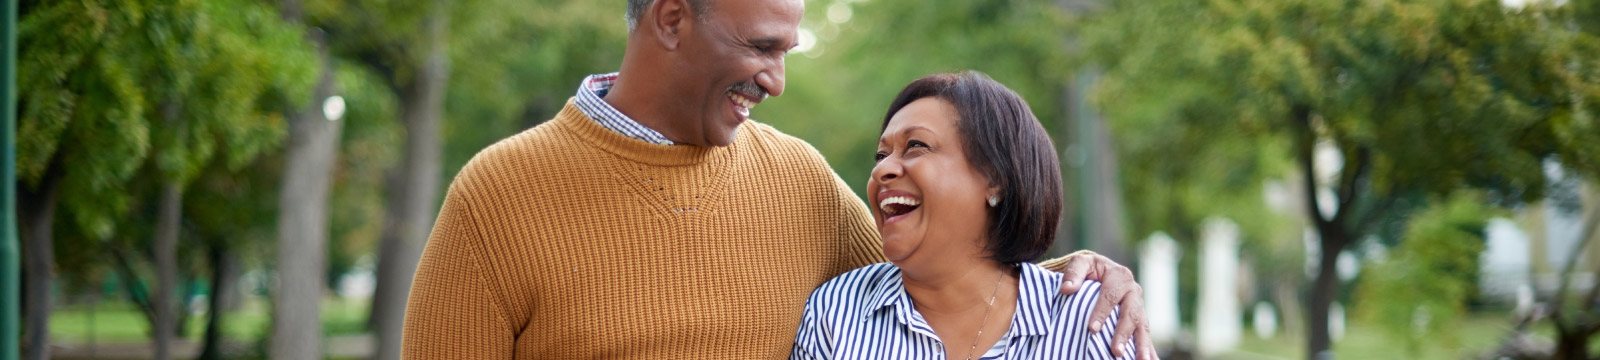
(1118, 289)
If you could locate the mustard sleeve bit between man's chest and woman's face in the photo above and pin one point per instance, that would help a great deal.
(857, 231)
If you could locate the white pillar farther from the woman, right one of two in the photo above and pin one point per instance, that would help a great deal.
(1218, 318)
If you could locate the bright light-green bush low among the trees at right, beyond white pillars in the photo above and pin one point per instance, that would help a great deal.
(1436, 268)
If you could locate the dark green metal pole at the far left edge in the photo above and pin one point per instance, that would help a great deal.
(10, 262)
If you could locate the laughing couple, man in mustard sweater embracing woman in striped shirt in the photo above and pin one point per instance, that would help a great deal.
(650, 220)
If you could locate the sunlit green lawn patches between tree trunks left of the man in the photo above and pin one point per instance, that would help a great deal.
(122, 322)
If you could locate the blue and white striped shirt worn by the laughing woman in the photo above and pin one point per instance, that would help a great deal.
(866, 314)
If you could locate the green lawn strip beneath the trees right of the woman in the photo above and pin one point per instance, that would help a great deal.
(1478, 335)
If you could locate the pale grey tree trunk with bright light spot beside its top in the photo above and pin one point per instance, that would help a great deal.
(303, 223)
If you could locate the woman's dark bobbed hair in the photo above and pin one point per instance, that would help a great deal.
(1007, 145)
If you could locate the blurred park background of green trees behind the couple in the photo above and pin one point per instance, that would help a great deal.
(1287, 178)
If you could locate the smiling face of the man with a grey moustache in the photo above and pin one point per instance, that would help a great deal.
(734, 60)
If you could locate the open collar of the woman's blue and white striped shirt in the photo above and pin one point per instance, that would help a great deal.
(1038, 289)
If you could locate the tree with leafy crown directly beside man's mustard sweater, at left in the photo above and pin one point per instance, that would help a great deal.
(526, 60)
